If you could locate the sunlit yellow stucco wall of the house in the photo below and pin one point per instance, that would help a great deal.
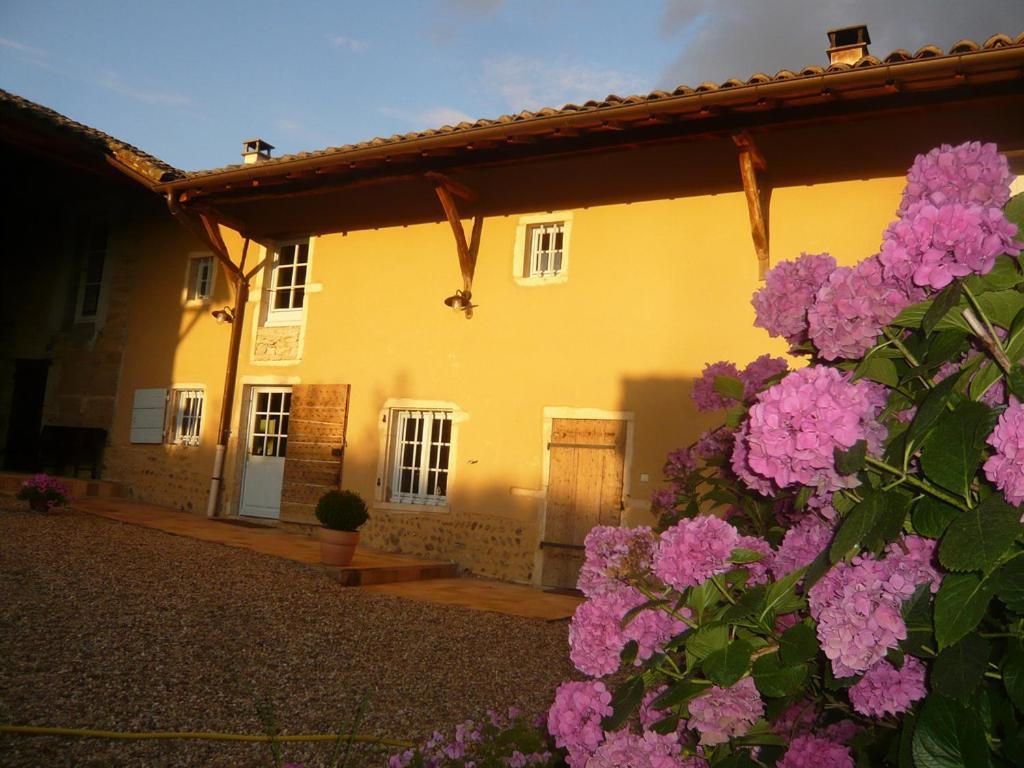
(655, 291)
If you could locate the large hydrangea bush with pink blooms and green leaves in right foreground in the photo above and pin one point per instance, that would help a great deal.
(837, 579)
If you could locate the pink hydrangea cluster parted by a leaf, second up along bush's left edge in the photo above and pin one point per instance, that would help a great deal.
(598, 637)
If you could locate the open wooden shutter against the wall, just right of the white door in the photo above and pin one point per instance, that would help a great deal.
(316, 449)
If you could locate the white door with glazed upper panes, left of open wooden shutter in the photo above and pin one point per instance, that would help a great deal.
(268, 444)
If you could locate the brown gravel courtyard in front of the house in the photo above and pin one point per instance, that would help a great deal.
(115, 627)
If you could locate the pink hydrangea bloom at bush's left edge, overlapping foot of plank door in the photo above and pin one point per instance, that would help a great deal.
(612, 554)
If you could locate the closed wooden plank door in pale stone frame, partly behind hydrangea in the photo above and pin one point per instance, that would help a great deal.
(585, 489)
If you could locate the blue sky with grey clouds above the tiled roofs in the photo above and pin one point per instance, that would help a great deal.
(190, 80)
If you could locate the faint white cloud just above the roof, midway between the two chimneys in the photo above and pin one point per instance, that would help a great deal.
(531, 83)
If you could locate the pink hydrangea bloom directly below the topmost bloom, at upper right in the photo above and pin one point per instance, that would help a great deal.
(931, 246)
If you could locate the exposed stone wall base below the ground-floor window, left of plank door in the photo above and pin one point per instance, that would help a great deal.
(489, 546)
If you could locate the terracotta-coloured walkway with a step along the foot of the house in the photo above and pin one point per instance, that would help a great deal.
(401, 576)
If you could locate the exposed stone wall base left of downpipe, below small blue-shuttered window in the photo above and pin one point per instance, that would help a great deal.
(169, 476)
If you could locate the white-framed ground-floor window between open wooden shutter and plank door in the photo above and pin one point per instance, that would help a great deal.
(419, 456)
